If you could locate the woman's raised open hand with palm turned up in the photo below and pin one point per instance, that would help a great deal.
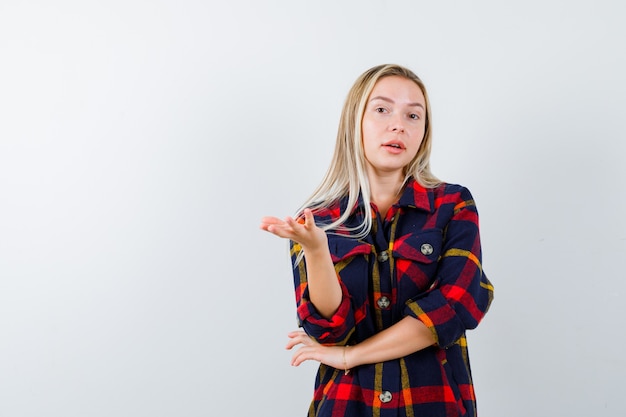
(304, 231)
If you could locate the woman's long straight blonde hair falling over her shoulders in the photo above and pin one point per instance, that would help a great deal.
(346, 175)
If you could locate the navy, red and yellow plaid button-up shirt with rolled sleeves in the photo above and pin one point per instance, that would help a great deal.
(423, 260)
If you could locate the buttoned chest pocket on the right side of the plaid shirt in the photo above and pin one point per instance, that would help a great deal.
(416, 256)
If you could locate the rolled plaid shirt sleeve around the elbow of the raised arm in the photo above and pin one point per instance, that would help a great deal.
(334, 330)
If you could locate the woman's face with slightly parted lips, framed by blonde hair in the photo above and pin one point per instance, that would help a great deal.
(393, 125)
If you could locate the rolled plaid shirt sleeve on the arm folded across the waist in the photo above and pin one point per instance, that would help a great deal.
(461, 294)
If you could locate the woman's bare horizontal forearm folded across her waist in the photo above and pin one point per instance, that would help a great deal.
(407, 336)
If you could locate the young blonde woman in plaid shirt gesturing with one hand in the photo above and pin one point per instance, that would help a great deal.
(387, 264)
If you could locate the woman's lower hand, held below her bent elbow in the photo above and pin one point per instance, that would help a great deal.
(312, 350)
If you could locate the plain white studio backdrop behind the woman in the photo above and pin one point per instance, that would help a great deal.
(141, 142)
